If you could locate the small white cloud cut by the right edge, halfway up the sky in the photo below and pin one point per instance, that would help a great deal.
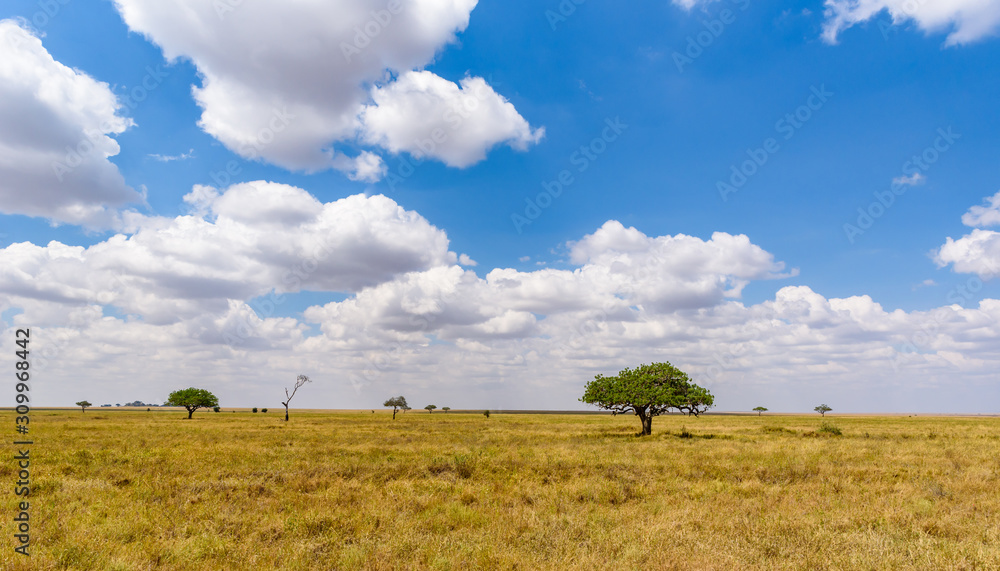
(979, 251)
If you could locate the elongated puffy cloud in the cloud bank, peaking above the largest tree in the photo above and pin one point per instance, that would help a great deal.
(622, 272)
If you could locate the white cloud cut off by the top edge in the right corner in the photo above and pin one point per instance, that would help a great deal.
(965, 21)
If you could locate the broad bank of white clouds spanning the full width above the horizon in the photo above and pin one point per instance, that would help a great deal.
(419, 324)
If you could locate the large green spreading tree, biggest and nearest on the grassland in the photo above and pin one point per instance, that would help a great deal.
(648, 391)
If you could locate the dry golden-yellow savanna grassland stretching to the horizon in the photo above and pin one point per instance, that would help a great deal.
(151, 490)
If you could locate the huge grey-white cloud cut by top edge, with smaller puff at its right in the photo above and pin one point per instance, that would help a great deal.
(291, 93)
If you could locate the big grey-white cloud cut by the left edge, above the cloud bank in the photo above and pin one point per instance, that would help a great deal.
(56, 125)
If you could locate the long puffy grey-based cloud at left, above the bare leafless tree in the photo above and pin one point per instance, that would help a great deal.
(251, 239)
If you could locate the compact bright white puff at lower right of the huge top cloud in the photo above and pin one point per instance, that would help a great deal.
(426, 115)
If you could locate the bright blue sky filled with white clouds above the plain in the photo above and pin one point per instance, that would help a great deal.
(486, 204)
